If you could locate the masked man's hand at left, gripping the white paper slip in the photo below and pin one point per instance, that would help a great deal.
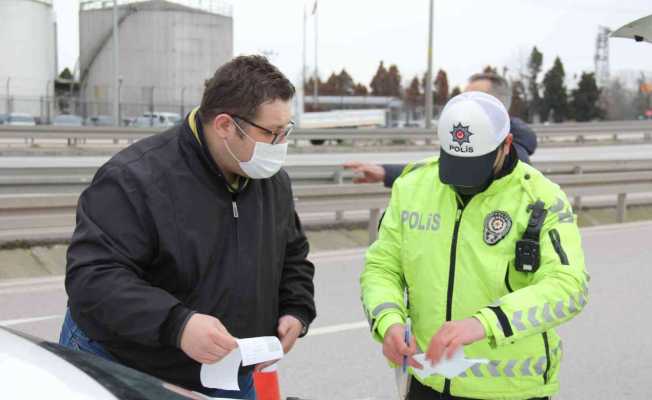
(206, 340)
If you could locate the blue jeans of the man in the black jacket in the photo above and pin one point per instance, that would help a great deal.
(74, 338)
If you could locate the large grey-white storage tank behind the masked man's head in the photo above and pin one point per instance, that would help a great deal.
(167, 48)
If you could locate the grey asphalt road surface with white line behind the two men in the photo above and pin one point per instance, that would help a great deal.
(608, 351)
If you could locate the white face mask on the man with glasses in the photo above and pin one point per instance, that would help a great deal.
(266, 161)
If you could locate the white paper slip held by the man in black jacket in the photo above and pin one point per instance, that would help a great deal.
(224, 374)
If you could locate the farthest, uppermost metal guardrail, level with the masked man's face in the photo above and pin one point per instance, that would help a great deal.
(577, 131)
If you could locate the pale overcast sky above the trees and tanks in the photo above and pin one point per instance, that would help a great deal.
(468, 34)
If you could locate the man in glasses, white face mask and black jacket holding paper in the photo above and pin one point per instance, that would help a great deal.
(189, 239)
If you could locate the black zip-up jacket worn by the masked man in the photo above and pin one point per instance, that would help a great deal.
(159, 236)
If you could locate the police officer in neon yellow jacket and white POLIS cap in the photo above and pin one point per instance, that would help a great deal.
(490, 255)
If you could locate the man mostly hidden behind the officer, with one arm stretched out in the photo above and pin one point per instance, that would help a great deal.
(525, 140)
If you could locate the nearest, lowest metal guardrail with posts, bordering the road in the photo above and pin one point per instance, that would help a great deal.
(47, 216)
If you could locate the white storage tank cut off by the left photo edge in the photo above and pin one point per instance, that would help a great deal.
(27, 56)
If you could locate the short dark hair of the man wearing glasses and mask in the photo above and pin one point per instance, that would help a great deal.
(241, 85)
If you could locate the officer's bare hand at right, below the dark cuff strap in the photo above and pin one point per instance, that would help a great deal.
(451, 336)
